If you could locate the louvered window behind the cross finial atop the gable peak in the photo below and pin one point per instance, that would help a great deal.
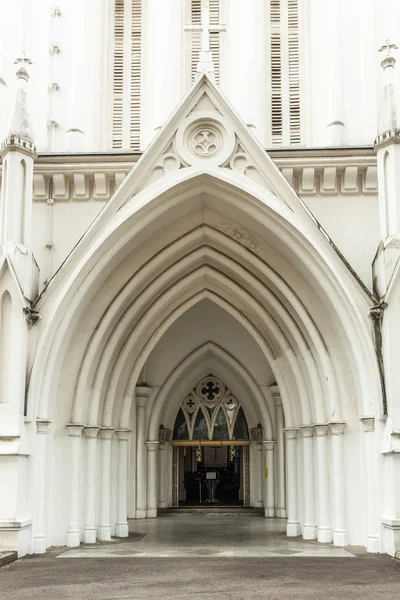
(195, 37)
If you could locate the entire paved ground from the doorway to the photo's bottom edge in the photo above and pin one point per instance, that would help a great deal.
(269, 566)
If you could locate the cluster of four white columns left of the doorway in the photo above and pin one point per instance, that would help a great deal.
(96, 518)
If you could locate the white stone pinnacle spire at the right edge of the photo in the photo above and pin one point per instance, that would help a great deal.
(388, 121)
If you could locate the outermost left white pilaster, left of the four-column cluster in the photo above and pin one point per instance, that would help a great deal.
(39, 524)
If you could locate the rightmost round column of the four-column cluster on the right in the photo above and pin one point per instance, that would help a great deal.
(340, 534)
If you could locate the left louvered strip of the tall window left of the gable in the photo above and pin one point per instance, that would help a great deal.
(118, 74)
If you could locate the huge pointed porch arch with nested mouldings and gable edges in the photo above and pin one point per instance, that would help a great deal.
(204, 231)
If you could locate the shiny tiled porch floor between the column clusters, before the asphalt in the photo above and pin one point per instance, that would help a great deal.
(201, 536)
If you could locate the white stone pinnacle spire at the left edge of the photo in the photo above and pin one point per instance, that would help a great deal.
(20, 134)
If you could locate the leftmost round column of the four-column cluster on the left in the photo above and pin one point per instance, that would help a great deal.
(73, 528)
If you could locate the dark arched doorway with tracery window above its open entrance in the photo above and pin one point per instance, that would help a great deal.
(211, 458)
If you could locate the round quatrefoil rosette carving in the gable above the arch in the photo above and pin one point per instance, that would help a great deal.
(204, 138)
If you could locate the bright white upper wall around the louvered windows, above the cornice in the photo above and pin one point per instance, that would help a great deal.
(340, 72)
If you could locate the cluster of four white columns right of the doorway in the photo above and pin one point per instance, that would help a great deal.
(324, 526)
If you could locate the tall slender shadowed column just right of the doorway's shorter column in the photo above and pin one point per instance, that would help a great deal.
(280, 498)
